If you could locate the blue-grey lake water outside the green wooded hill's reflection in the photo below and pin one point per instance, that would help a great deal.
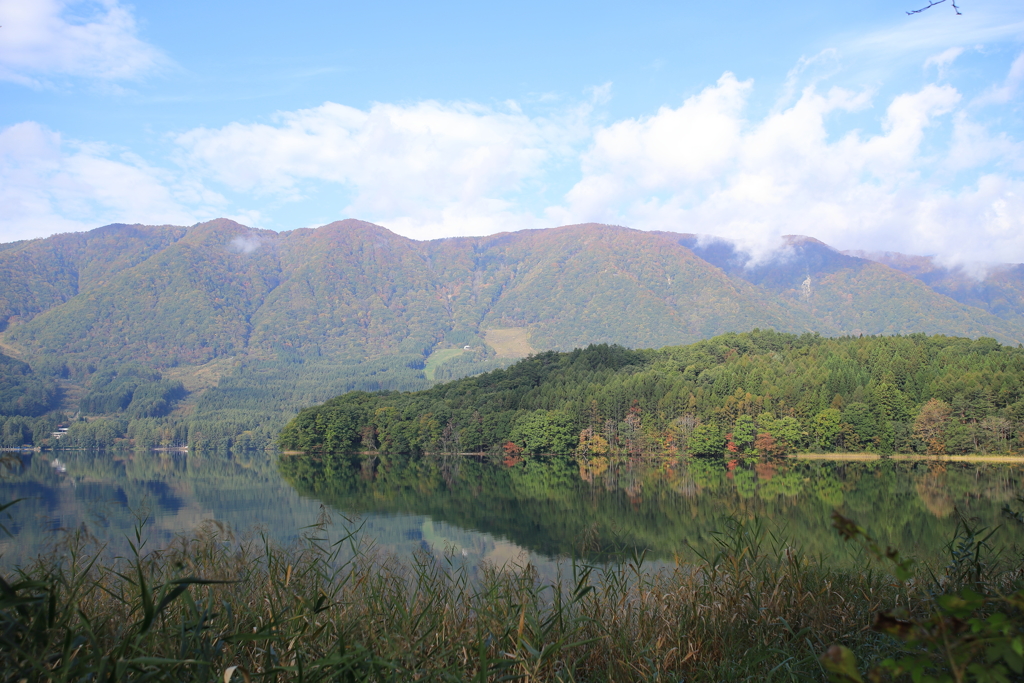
(104, 494)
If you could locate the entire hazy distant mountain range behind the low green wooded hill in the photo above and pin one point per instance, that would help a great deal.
(230, 328)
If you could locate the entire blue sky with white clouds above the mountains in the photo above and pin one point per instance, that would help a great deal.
(850, 122)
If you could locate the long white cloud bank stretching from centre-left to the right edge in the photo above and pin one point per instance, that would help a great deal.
(706, 166)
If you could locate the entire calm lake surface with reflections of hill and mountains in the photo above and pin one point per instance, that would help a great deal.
(540, 510)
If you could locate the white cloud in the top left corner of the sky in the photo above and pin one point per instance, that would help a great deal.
(42, 39)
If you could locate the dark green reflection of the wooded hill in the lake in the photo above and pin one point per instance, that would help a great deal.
(557, 507)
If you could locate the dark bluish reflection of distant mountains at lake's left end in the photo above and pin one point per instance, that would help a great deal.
(105, 495)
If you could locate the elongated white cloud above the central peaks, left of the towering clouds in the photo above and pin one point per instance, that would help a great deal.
(422, 168)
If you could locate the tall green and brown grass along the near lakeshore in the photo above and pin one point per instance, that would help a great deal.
(212, 608)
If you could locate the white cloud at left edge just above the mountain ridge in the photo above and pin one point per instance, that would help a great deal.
(52, 186)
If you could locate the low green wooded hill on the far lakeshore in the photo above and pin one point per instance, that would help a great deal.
(761, 394)
